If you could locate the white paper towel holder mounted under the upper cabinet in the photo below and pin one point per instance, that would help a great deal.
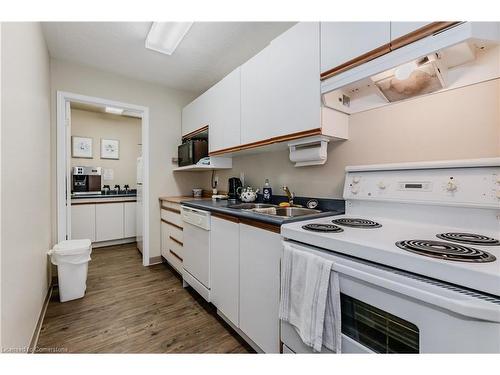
(309, 151)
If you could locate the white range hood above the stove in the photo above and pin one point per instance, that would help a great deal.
(463, 55)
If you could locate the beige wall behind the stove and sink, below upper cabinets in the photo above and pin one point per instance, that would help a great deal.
(462, 123)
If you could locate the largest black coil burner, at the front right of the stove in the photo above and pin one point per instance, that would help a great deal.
(446, 251)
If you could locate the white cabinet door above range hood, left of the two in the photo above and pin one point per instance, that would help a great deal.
(344, 41)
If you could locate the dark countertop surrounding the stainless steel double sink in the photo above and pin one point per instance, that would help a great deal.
(335, 207)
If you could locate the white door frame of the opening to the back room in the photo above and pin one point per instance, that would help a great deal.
(63, 158)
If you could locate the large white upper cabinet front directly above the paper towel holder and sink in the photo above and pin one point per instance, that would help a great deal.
(280, 92)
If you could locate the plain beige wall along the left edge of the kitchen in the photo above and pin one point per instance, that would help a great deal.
(26, 183)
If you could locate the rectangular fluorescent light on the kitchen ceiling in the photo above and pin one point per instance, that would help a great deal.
(164, 37)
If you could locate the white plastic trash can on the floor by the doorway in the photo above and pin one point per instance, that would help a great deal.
(72, 259)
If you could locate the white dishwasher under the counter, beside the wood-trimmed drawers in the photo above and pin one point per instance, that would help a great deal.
(195, 266)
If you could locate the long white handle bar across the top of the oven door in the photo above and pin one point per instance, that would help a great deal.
(467, 306)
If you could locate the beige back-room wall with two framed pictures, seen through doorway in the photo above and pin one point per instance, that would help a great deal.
(107, 126)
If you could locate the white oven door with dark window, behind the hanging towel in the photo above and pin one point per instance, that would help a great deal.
(390, 311)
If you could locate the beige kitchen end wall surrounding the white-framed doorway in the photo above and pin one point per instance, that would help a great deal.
(165, 107)
